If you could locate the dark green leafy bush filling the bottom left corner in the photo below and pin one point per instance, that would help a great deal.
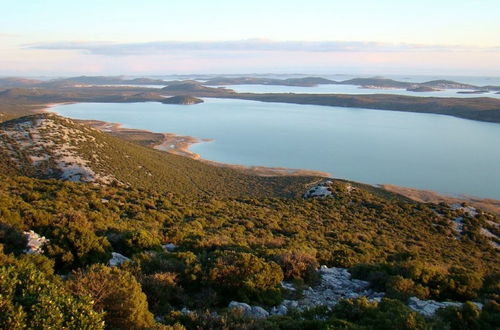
(33, 299)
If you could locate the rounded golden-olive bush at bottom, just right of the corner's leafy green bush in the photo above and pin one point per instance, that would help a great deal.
(115, 292)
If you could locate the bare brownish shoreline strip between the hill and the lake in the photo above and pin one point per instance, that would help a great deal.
(179, 145)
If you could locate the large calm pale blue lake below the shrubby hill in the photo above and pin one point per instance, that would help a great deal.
(424, 151)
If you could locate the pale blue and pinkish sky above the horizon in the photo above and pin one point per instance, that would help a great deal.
(160, 37)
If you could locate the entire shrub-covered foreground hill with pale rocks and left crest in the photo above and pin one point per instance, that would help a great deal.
(184, 240)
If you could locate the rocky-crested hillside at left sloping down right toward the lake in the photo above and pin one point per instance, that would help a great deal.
(48, 146)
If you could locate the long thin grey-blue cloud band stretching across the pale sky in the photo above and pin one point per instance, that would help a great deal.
(254, 45)
